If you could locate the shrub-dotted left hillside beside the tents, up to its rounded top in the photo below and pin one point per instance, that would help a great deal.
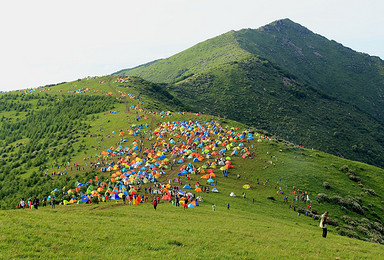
(42, 131)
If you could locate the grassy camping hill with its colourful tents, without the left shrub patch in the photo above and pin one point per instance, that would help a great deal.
(265, 191)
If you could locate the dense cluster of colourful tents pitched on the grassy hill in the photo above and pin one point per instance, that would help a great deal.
(192, 147)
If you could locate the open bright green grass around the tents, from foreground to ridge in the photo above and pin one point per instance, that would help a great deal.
(266, 229)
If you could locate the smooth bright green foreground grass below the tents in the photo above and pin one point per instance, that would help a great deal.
(125, 232)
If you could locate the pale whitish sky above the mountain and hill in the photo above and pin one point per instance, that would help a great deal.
(48, 42)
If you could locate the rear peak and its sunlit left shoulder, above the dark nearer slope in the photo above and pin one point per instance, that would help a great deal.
(327, 65)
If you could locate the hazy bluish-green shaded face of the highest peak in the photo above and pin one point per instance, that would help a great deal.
(337, 70)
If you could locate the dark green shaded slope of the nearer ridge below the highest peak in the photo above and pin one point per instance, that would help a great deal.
(254, 90)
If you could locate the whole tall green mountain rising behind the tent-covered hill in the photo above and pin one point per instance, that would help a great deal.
(243, 75)
